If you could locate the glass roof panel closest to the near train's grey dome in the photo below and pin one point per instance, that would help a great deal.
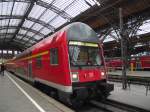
(58, 22)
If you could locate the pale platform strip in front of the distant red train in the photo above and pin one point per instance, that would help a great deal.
(133, 73)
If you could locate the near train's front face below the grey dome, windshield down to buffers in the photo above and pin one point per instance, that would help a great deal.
(87, 71)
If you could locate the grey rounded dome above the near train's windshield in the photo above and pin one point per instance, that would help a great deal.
(81, 32)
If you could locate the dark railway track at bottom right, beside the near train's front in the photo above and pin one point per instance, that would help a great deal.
(111, 106)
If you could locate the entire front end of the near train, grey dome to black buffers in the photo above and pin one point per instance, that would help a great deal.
(87, 71)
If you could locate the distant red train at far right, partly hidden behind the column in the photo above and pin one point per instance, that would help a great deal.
(138, 63)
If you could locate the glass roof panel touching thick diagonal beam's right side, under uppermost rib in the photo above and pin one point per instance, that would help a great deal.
(36, 11)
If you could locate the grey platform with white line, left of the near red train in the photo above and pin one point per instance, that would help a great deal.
(18, 96)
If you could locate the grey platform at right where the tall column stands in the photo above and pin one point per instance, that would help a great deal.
(134, 96)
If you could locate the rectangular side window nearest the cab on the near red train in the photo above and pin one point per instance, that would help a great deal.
(54, 56)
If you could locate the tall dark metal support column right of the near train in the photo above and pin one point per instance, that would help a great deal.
(123, 51)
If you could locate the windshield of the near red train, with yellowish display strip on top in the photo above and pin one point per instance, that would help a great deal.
(84, 55)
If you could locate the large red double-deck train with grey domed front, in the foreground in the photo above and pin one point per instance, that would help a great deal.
(70, 62)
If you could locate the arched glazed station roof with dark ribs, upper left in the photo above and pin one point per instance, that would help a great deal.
(25, 22)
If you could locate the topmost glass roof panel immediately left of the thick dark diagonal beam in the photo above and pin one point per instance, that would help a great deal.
(19, 8)
